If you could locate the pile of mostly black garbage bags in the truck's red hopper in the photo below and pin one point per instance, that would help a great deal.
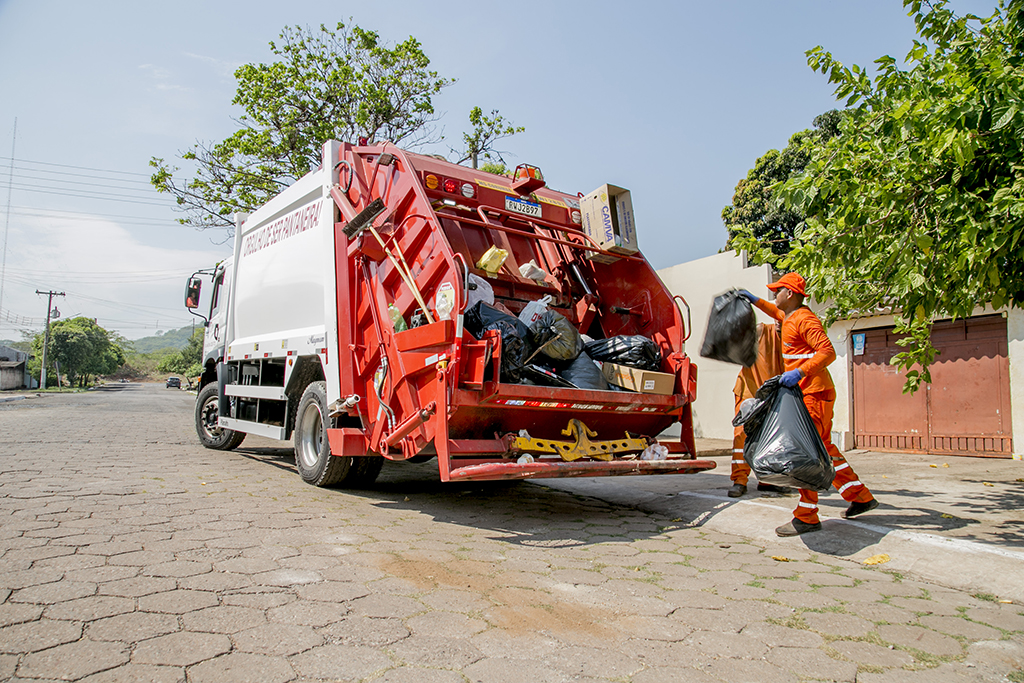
(542, 348)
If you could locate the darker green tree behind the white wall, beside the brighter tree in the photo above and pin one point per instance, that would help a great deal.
(755, 221)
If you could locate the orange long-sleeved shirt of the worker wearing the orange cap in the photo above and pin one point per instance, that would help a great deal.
(805, 346)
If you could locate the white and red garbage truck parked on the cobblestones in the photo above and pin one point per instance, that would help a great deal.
(340, 324)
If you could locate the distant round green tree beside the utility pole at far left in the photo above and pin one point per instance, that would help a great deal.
(81, 350)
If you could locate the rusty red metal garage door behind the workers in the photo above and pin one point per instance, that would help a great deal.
(964, 411)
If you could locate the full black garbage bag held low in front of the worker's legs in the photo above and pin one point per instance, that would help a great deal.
(787, 451)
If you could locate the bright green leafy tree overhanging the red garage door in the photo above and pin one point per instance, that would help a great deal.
(918, 207)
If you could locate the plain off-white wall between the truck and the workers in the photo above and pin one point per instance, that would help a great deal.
(700, 282)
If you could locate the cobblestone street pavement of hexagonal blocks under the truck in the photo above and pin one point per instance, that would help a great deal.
(131, 553)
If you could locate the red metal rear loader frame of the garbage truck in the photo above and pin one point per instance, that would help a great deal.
(435, 398)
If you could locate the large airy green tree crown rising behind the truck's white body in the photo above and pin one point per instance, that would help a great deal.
(339, 84)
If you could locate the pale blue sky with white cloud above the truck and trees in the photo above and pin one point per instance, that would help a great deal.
(674, 101)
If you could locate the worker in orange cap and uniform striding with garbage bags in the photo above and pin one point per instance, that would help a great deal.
(807, 353)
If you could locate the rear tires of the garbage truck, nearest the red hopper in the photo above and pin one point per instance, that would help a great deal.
(313, 451)
